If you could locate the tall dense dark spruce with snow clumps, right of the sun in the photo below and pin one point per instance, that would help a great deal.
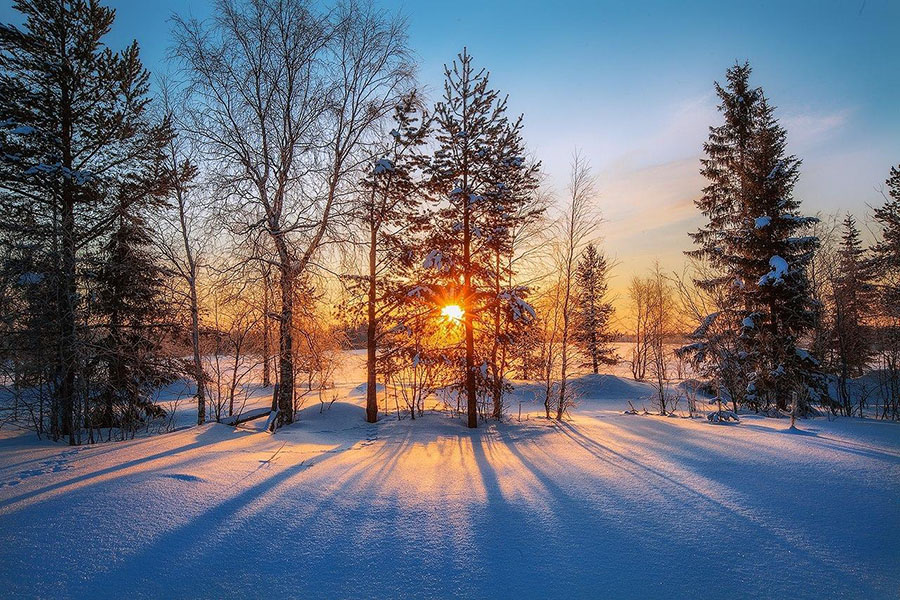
(752, 242)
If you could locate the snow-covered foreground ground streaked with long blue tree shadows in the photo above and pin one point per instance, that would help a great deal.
(606, 505)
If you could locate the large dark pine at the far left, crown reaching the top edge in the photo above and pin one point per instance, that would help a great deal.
(74, 125)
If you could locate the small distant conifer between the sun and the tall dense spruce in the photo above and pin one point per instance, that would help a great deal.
(594, 310)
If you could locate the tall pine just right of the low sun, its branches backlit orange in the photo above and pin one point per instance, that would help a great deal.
(478, 177)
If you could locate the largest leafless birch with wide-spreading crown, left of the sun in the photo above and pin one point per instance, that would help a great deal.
(285, 99)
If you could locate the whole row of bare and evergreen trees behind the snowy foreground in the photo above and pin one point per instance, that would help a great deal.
(288, 188)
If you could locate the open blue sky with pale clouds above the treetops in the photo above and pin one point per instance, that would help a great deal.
(630, 83)
